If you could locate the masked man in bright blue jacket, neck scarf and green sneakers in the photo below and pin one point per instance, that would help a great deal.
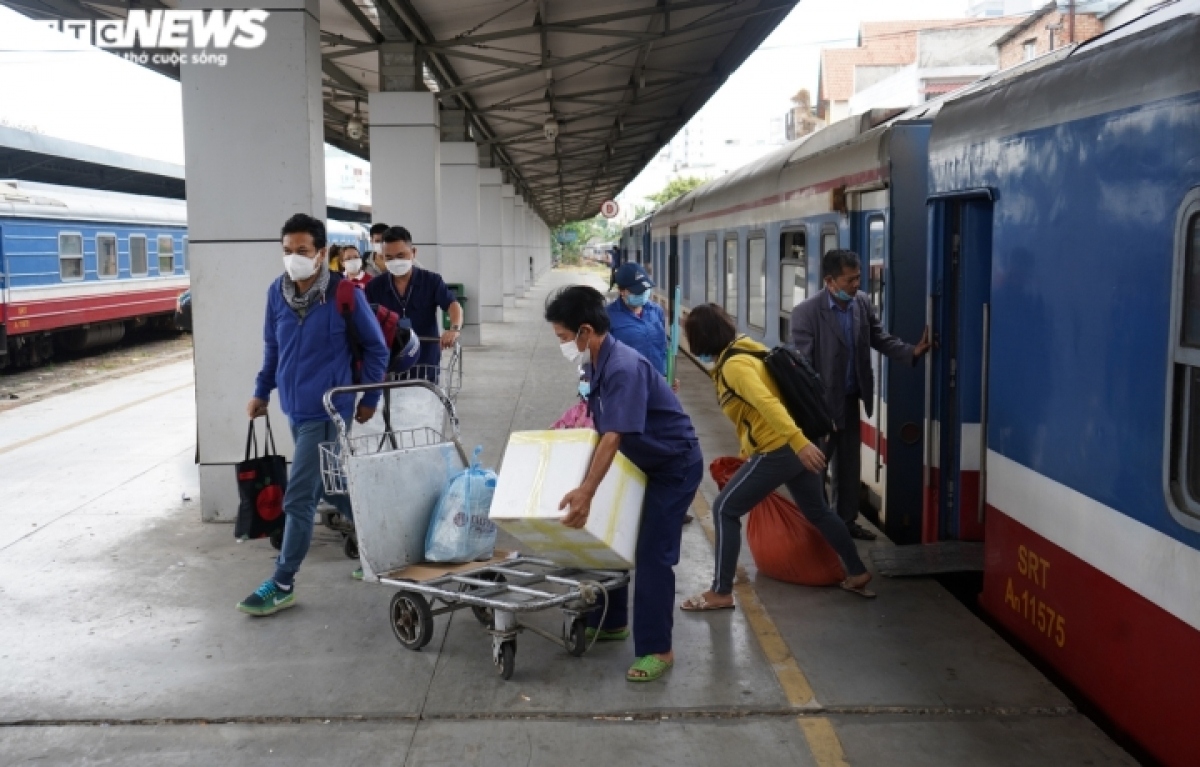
(307, 353)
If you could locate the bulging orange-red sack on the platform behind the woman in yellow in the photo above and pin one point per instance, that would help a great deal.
(785, 546)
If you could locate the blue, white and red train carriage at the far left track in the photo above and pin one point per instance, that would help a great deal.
(79, 267)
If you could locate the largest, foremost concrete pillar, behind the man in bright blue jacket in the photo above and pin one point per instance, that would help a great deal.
(255, 151)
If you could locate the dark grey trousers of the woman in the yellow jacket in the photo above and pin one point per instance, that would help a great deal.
(755, 481)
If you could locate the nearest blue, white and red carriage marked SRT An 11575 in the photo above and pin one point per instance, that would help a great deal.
(1065, 269)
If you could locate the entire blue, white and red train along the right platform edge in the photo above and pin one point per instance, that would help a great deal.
(1046, 224)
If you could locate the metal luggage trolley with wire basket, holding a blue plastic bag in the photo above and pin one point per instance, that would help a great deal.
(395, 482)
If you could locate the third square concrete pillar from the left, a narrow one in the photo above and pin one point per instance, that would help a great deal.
(459, 225)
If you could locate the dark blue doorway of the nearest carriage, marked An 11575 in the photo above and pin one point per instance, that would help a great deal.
(957, 409)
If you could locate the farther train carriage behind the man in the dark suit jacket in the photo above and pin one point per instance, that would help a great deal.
(753, 241)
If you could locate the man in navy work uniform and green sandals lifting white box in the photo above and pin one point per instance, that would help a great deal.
(637, 414)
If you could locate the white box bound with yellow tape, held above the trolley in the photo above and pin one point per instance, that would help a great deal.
(539, 469)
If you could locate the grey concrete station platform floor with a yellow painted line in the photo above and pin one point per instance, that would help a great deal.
(121, 645)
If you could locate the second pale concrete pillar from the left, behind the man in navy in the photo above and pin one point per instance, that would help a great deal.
(406, 172)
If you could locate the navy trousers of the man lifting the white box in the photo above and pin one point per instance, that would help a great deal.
(668, 499)
